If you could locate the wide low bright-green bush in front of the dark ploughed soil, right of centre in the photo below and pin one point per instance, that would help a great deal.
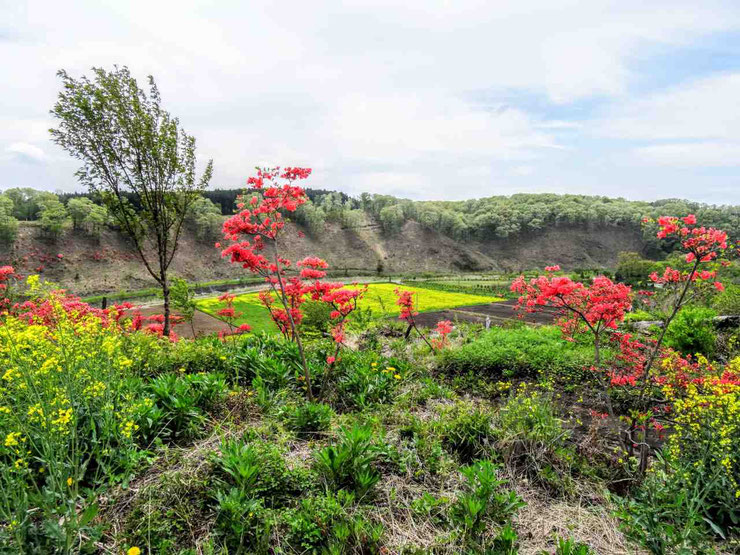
(521, 351)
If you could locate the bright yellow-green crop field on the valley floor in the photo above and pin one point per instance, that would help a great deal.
(379, 298)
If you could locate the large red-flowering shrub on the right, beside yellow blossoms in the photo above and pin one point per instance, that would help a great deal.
(641, 368)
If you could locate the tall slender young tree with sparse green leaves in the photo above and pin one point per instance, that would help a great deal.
(137, 157)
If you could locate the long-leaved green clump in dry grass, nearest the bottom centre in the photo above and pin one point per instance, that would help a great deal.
(349, 463)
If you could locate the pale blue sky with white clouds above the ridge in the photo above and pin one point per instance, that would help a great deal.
(424, 99)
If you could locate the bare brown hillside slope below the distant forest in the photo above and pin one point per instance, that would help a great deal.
(90, 266)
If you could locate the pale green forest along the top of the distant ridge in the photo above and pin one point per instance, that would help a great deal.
(495, 217)
